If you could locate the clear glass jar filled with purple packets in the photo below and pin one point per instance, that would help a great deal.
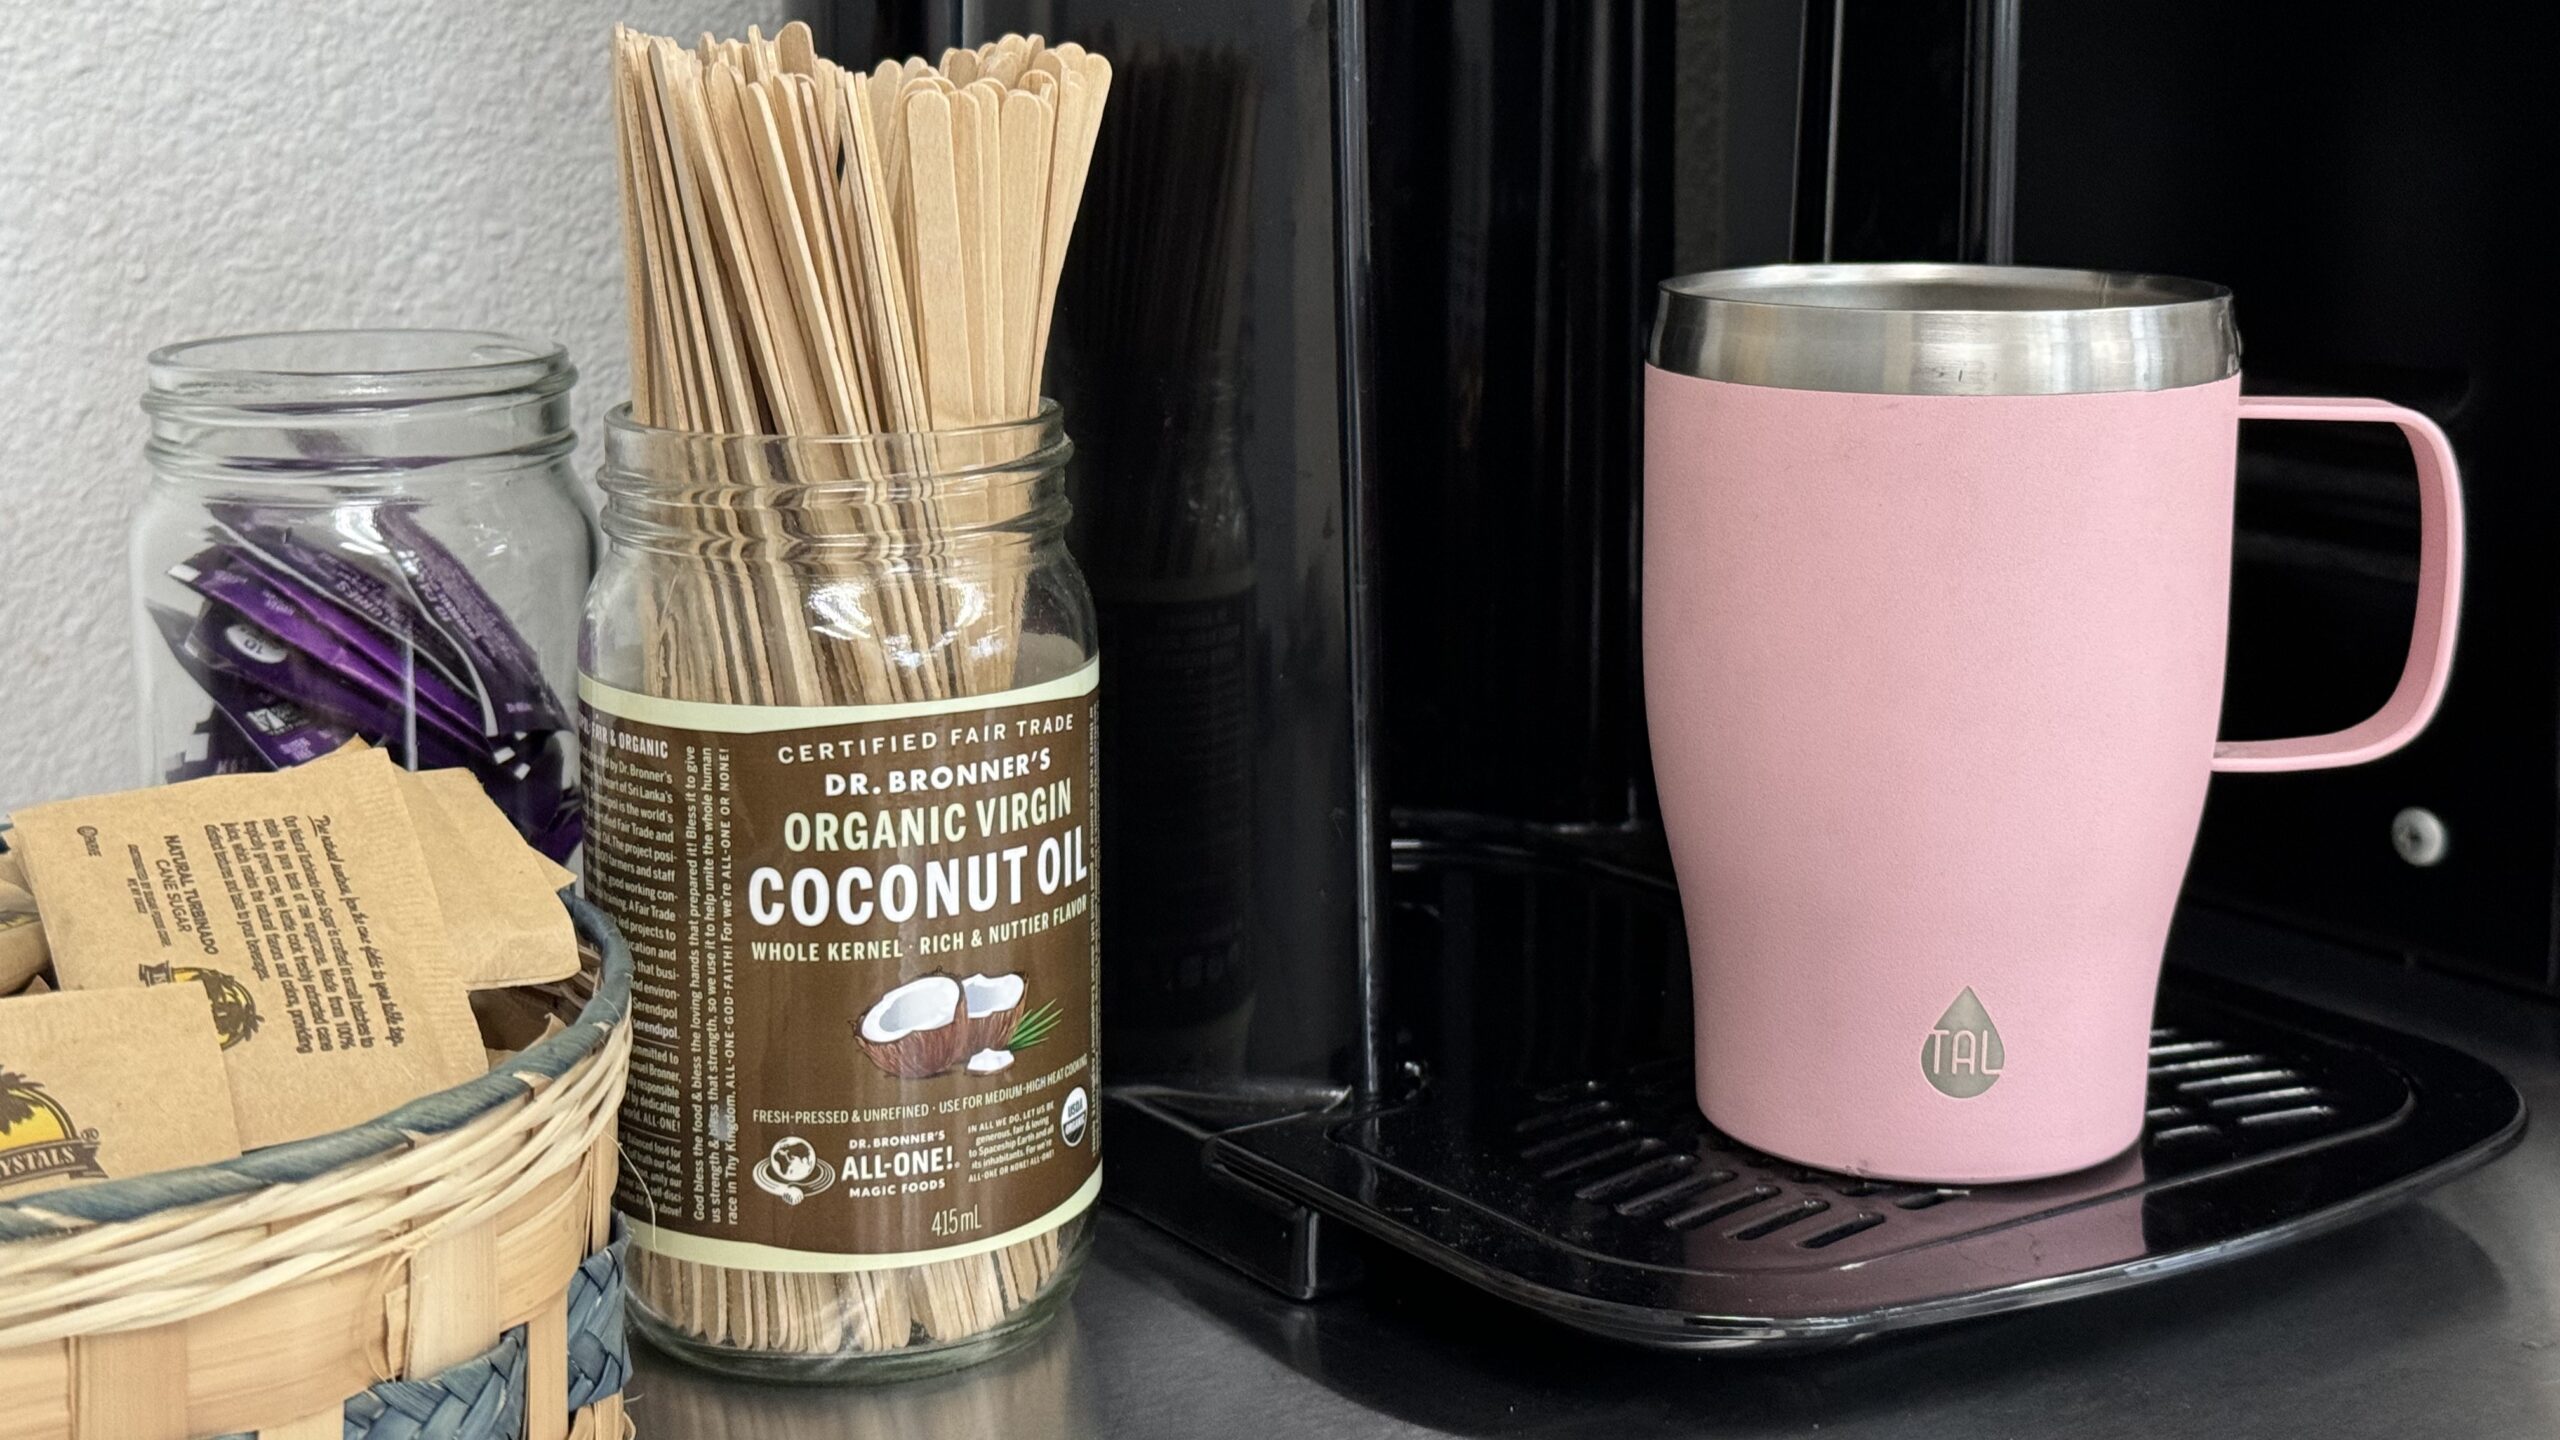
(365, 534)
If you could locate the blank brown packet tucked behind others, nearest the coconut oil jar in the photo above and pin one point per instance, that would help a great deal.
(498, 896)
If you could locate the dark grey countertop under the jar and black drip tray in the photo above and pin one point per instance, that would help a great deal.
(2438, 1318)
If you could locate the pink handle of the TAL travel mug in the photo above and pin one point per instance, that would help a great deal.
(2438, 598)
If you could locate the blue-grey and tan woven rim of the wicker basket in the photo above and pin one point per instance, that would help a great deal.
(119, 1200)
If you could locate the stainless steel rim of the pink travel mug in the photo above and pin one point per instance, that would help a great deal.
(1944, 329)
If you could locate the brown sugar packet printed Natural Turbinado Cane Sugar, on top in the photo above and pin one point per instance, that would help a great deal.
(298, 903)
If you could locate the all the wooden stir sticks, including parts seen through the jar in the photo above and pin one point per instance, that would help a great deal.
(820, 252)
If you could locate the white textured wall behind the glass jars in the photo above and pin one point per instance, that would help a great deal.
(201, 168)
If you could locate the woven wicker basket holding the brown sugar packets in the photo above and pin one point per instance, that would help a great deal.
(444, 1272)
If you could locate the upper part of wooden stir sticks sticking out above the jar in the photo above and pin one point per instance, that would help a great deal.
(820, 252)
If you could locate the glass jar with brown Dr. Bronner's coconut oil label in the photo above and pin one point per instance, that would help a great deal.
(838, 721)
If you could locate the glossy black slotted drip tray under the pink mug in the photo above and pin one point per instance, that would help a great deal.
(1614, 1208)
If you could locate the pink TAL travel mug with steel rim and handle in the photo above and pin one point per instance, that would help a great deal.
(1937, 580)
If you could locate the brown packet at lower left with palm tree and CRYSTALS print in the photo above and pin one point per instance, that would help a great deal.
(109, 1088)
